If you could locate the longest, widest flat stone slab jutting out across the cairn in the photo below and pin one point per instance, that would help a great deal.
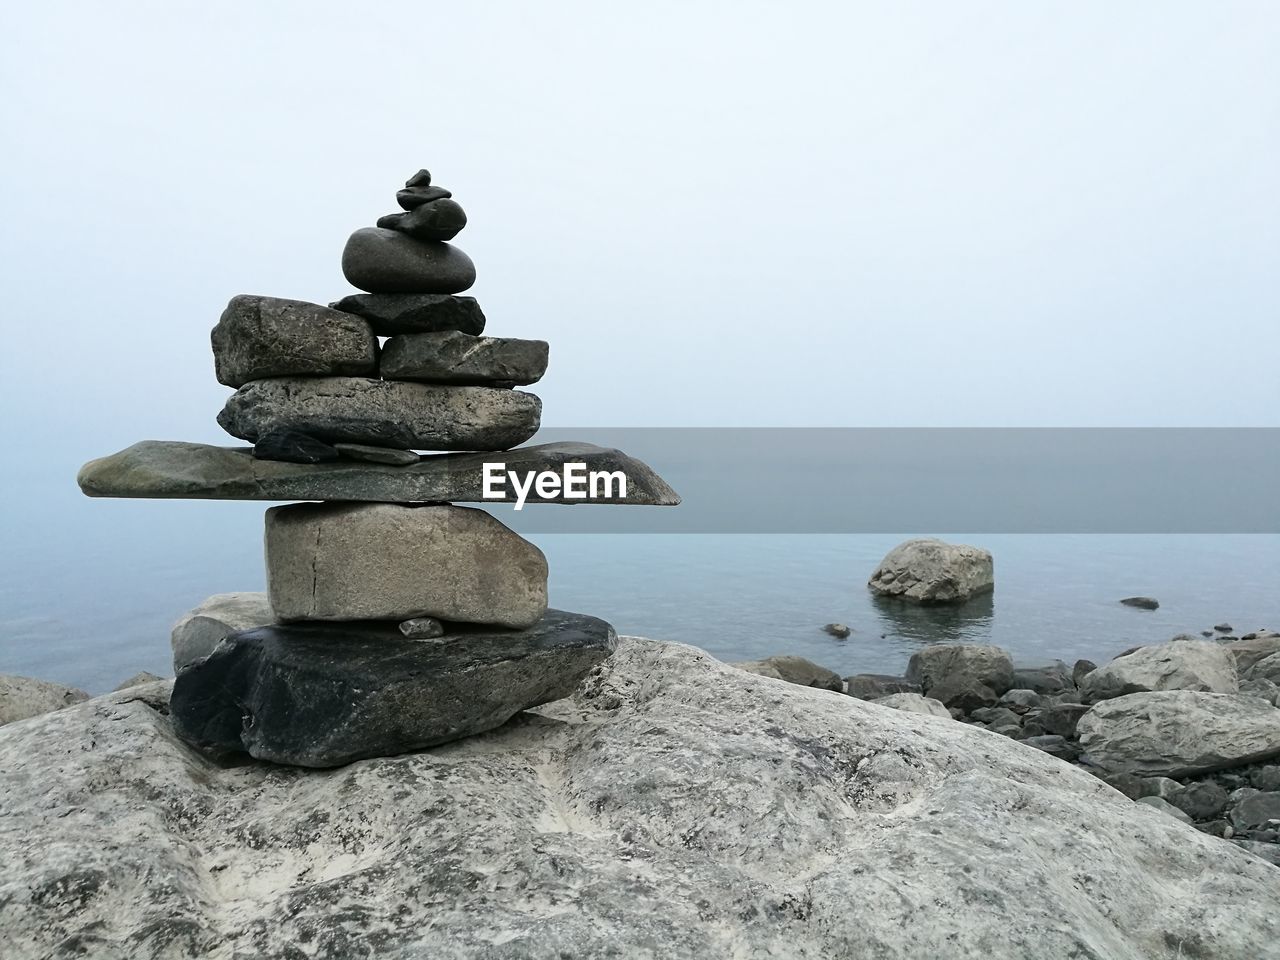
(198, 472)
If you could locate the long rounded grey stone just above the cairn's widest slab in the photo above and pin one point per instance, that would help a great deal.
(385, 413)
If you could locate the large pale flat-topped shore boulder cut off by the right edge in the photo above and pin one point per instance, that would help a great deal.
(1180, 733)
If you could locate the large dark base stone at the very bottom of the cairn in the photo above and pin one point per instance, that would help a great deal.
(323, 696)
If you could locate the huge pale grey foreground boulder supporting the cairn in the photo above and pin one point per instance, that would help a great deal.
(674, 808)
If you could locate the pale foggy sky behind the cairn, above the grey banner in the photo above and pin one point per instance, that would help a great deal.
(719, 214)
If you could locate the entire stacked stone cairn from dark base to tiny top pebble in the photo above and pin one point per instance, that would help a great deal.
(396, 620)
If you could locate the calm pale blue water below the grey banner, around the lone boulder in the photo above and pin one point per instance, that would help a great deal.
(89, 600)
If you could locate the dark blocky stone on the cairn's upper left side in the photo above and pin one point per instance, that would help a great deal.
(260, 337)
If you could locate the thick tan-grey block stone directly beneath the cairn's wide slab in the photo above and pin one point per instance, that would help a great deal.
(390, 561)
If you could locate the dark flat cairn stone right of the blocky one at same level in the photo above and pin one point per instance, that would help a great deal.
(458, 358)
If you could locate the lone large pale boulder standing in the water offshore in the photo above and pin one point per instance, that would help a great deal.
(932, 572)
